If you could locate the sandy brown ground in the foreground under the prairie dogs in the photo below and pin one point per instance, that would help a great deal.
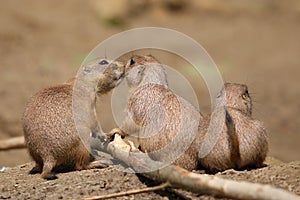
(88, 183)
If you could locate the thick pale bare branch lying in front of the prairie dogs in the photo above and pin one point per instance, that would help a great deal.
(198, 183)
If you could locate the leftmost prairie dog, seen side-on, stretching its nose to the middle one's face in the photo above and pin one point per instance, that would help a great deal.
(49, 129)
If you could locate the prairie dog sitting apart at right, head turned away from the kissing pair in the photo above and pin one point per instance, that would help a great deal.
(242, 141)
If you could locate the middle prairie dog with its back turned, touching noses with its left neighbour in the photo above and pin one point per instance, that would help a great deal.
(164, 123)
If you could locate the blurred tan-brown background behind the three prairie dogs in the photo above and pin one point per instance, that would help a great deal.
(256, 42)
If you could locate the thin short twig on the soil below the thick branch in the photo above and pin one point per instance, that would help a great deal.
(130, 192)
